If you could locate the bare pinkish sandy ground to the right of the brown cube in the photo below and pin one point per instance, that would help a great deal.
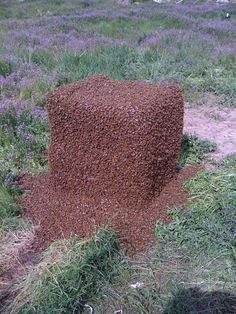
(215, 124)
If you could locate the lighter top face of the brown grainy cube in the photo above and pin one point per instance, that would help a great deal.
(100, 94)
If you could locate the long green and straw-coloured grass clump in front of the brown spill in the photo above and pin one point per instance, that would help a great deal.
(69, 274)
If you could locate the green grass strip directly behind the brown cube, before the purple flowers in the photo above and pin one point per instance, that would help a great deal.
(190, 66)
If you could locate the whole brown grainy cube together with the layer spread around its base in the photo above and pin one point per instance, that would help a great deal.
(113, 148)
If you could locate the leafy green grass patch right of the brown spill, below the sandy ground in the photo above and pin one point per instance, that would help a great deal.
(208, 225)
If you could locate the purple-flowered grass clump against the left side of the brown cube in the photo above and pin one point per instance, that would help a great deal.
(24, 136)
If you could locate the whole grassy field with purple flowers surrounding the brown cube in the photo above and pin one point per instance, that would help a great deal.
(191, 268)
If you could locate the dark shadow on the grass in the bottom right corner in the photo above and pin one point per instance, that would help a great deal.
(196, 301)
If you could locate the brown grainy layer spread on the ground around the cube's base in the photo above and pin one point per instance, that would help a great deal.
(62, 217)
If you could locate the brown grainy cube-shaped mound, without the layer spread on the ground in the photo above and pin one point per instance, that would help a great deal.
(114, 140)
